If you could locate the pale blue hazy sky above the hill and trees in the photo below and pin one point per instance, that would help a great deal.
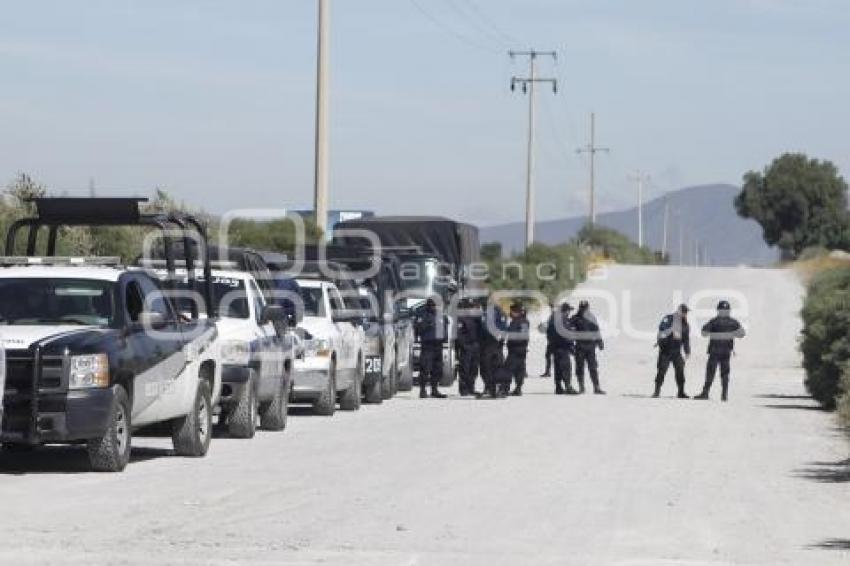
(214, 100)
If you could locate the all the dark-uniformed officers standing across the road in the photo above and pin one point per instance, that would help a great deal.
(483, 332)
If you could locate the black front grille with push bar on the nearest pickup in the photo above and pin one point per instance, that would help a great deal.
(27, 375)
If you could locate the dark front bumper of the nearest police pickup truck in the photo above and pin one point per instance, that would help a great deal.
(71, 417)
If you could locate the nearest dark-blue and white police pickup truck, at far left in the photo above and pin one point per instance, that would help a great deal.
(94, 351)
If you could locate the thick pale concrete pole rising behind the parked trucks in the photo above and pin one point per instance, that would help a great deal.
(320, 197)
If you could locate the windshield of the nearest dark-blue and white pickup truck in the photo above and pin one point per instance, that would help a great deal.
(34, 301)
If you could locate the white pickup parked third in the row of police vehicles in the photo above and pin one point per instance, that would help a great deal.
(331, 364)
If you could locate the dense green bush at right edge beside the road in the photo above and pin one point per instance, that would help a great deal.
(826, 334)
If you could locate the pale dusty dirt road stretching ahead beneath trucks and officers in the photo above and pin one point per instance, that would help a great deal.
(621, 479)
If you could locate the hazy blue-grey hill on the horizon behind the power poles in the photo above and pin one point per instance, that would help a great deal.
(706, 211)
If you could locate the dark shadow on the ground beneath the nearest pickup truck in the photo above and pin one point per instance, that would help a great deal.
(64, 460)
